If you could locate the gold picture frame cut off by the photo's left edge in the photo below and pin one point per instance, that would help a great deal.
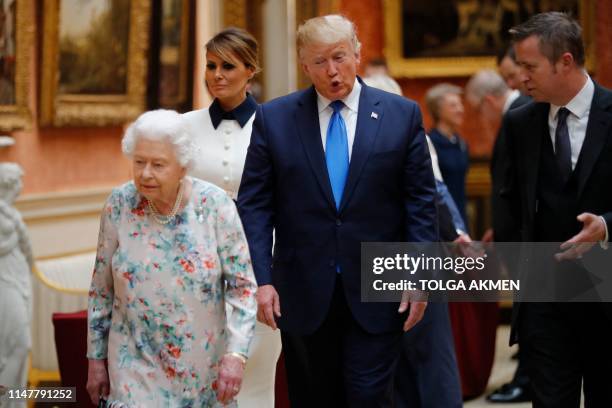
(18, 116)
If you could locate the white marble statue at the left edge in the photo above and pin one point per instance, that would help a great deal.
(15, 286)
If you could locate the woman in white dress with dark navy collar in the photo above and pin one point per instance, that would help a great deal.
(223, 132)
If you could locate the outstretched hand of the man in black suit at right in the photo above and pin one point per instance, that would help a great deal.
(593, 231)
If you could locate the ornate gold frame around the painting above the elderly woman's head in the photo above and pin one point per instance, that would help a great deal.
(95, 110)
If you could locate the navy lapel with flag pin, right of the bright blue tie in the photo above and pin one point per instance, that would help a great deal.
(365, 134)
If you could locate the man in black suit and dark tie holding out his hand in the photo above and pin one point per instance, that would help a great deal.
(560, 150)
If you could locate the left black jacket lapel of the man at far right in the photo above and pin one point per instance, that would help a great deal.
(533, 144)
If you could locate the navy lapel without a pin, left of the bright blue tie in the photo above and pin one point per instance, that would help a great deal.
(307, 123)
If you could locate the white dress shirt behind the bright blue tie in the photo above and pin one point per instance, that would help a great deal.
(348, 112)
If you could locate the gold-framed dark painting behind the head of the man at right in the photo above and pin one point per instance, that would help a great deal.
(459, 37)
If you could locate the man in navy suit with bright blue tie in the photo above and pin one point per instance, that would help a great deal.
(328, 168)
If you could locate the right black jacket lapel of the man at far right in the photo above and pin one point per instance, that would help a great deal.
(595, 138)
